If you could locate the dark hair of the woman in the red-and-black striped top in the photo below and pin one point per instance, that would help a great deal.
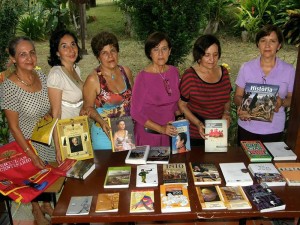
(202, 44)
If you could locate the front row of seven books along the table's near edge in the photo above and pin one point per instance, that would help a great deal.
(175, 198)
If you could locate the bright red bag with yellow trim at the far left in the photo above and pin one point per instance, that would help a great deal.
(19, 178)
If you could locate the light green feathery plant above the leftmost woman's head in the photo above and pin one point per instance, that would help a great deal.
(32, 24)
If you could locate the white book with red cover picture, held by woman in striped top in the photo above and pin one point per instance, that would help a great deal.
(216, 134)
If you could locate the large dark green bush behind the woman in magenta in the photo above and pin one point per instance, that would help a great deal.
(180, 19)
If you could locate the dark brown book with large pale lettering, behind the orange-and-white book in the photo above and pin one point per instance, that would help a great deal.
(174, 173)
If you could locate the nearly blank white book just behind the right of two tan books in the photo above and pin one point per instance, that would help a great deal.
(236, 174)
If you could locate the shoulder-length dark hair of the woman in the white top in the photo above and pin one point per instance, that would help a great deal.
(53, 59)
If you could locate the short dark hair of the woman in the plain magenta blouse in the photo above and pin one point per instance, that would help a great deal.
(153, 40)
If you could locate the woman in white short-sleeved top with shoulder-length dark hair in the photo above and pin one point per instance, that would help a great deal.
(64, 81)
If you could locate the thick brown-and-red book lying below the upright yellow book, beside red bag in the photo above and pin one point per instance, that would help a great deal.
(79, 169)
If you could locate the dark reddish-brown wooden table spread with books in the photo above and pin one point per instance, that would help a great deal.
(93, 185)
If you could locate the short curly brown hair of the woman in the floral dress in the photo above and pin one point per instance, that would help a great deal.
(102, 39)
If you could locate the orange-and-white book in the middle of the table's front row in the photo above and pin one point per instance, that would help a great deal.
(174, 198)
